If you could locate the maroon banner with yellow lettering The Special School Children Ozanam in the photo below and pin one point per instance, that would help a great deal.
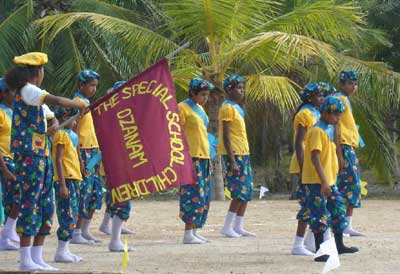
(143, 146)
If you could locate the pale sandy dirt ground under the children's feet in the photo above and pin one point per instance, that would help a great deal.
(159, 232)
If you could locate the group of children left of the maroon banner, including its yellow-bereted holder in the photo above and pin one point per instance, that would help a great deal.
(47, 156)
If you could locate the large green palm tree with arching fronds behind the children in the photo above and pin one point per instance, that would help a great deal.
(267, 41)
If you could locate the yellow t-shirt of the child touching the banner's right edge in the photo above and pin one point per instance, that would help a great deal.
(195, 131)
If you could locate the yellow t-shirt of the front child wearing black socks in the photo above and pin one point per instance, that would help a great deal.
(318, 139)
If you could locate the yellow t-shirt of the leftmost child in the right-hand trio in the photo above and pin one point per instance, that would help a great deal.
(306, 119)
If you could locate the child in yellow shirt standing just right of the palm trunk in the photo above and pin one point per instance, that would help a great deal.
(234, 148)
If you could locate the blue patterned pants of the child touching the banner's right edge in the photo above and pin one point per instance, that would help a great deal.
(195, 199)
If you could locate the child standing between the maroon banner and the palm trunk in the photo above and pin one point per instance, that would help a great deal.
(195, 198)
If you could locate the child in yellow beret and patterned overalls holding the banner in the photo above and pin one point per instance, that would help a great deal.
(30, 148)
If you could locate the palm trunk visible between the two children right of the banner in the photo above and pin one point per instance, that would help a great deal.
(217, 177)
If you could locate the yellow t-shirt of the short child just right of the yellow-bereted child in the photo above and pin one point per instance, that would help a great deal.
(70, 160)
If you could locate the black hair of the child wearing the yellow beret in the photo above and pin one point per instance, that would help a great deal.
(17, 77)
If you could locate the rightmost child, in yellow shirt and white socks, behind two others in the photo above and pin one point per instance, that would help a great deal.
(349, 138)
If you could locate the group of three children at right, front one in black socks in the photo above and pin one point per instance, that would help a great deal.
(325, 166)
